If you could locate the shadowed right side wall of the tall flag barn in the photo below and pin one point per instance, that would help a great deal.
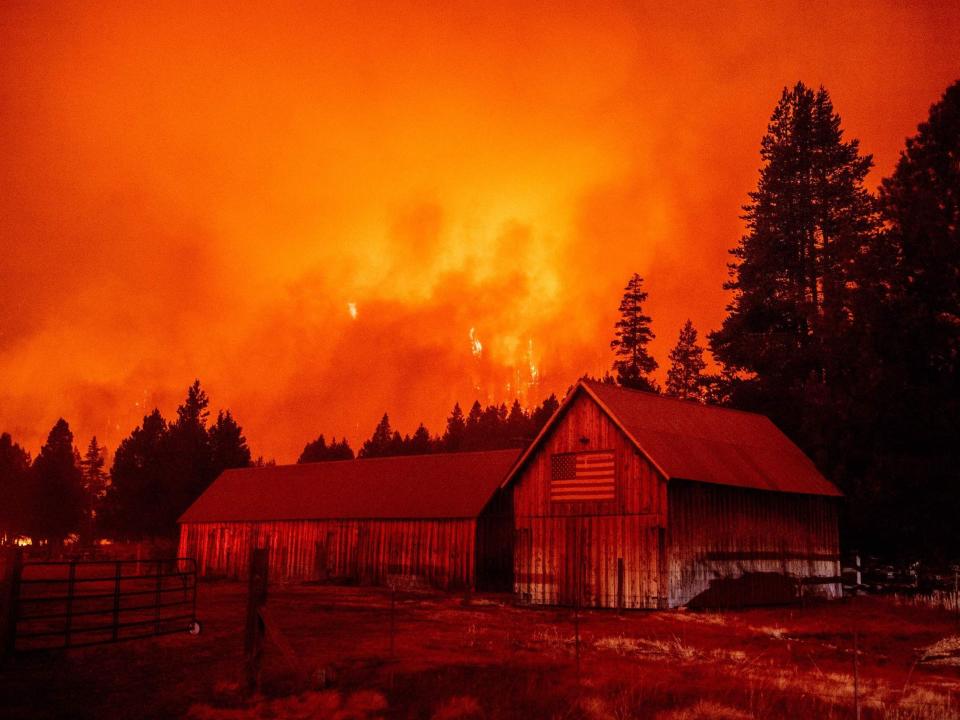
(718, 532)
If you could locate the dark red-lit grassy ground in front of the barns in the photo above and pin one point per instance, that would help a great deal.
(487, 659)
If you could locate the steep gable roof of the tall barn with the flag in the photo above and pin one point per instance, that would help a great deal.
(687, 440)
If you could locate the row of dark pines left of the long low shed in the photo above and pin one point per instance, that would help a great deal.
(157, 472)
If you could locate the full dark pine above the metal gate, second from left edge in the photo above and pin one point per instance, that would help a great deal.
(59, 487)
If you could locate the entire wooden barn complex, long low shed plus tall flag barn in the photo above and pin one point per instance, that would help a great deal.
(625, 499)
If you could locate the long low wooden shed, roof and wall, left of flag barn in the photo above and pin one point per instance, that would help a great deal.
(366, 521)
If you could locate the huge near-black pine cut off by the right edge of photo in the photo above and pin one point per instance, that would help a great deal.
(907, 475)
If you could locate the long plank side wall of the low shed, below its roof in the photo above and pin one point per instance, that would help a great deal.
(439, 552)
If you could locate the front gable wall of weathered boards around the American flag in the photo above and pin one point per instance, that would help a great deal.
(565, 553)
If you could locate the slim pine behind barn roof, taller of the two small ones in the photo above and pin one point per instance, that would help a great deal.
(634, 364)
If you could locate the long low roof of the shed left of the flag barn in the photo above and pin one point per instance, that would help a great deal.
(444, 485)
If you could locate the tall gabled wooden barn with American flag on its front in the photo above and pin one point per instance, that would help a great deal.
(630, 499)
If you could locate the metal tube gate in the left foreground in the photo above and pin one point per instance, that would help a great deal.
(77, 603)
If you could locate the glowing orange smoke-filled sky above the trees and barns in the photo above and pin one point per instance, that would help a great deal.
(197, 190)
